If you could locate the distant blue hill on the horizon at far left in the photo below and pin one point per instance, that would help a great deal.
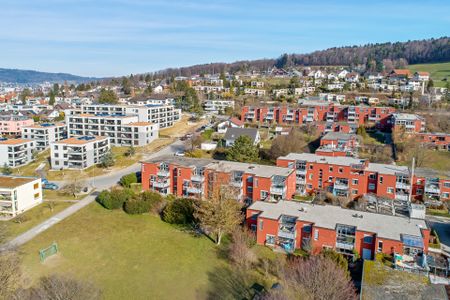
(35, 77)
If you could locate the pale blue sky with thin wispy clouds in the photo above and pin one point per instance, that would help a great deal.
(118, 37)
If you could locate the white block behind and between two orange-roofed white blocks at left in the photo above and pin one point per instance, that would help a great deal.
(44, 134)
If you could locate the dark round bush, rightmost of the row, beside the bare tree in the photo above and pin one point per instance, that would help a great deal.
(179, 211)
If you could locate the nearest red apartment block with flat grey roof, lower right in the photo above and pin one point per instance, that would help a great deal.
(291, 225)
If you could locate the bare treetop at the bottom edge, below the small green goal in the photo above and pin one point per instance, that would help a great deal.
(62, 287)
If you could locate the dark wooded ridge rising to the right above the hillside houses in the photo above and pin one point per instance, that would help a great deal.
(373, 56)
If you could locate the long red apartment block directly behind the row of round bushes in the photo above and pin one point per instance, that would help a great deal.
(202, 178)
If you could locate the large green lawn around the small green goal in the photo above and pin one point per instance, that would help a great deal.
(128, 257)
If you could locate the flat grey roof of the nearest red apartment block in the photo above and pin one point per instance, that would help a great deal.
(328, 216)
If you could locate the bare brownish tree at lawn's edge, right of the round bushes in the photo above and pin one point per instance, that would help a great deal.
(219, 215)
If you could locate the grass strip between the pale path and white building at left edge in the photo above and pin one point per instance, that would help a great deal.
(33, 217)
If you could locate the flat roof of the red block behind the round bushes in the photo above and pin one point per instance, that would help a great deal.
(223, 166)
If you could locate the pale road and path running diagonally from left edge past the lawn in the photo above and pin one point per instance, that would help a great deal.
(99, 183)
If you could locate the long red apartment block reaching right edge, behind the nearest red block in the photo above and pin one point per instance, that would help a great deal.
(352, 177)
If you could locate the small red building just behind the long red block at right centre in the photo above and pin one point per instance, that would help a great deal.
(338, 144)
